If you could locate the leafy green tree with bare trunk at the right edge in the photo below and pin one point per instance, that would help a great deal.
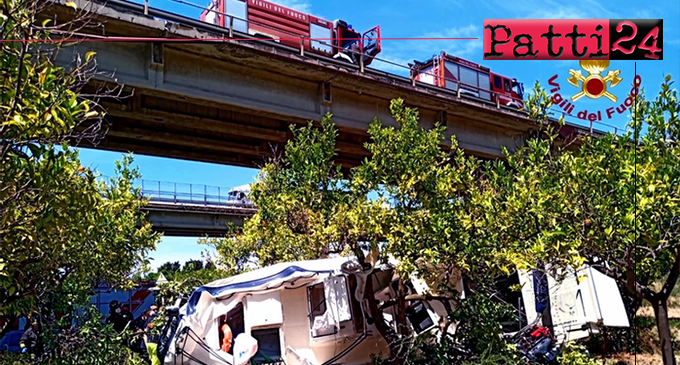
(612, 204)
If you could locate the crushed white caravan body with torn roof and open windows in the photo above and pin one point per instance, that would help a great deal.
(307, 312)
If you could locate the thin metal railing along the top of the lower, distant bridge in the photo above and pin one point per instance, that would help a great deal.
(191, 194)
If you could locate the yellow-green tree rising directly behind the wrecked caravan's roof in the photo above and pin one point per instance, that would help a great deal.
(301, 202)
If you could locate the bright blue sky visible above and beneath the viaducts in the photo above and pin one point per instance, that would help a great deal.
(429, 19)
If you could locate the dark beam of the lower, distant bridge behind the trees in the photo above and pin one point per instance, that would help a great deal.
(194, 221)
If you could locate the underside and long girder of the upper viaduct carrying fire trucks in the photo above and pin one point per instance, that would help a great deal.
(232, 101)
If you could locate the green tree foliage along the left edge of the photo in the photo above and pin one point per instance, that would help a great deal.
(62, 230)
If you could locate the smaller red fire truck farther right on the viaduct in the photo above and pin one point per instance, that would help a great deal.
(448, 72)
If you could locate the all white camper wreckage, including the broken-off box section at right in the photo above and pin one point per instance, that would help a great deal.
(316, 313)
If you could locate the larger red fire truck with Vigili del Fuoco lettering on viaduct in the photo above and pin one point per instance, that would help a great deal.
(267, 20)
